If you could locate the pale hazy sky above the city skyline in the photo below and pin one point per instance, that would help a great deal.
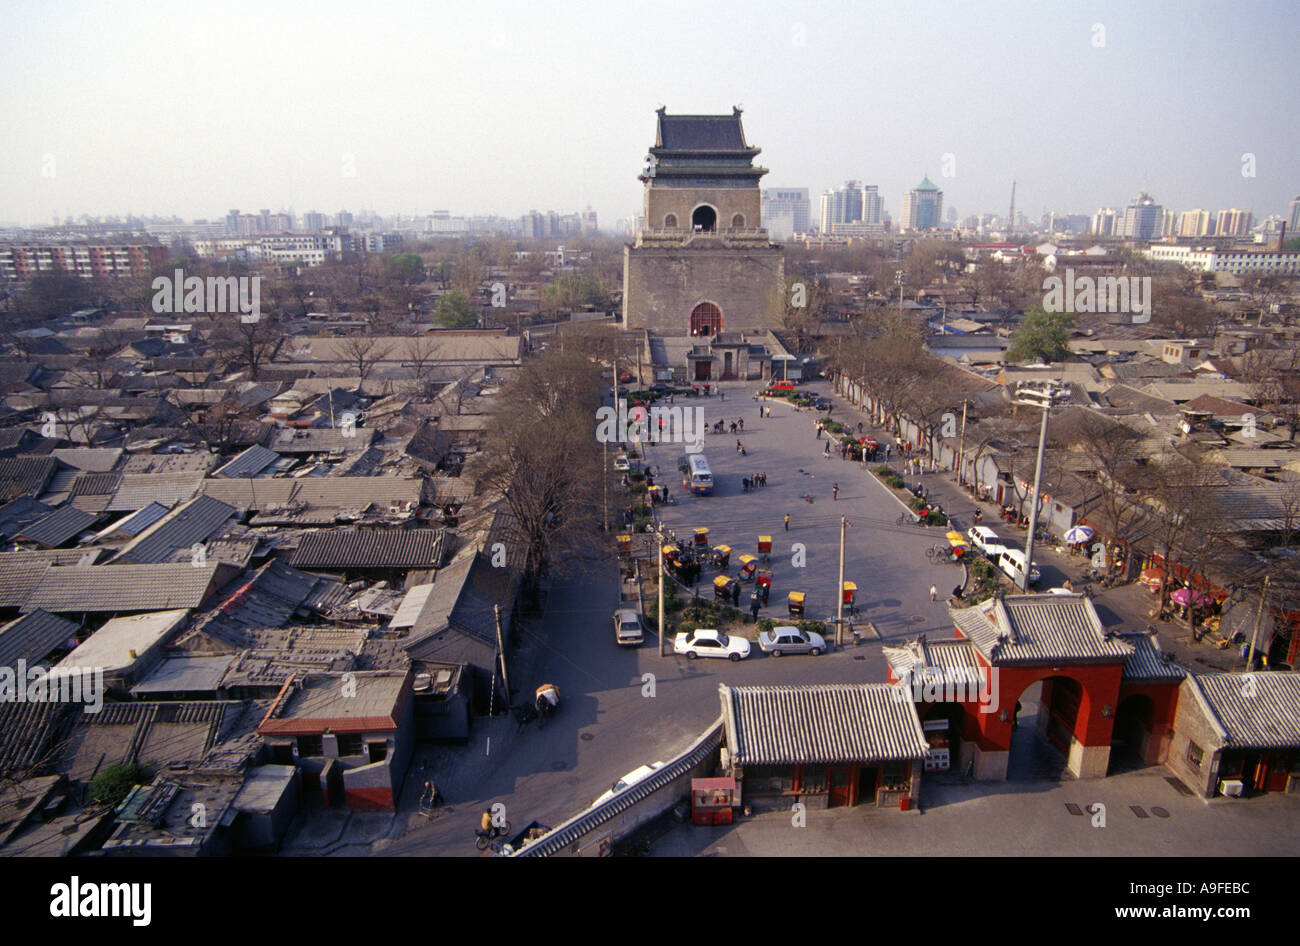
(192, 110)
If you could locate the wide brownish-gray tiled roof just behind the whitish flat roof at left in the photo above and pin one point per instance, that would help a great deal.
(123, 588)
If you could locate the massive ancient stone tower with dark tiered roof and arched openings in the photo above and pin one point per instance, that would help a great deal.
(703, 263)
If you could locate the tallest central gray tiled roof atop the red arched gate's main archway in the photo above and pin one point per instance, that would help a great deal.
(1037, 630)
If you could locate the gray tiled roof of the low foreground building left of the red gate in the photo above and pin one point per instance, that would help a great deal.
(837, 723)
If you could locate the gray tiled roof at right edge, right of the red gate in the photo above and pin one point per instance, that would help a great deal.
(1253, 710)
